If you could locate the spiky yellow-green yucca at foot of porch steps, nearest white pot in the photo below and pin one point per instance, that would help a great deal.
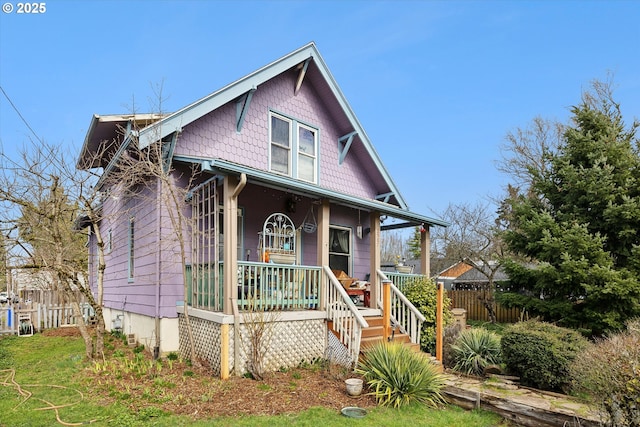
(396, 376)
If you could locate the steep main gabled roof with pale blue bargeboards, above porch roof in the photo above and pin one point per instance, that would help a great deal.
(310, 66)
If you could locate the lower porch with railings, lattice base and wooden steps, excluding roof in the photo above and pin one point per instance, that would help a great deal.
(309, 312)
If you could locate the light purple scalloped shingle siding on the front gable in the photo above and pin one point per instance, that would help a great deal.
(215, 136)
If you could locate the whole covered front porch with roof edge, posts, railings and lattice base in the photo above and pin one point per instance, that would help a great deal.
(299, 294)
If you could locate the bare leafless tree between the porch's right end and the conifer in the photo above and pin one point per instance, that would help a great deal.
(473, 239)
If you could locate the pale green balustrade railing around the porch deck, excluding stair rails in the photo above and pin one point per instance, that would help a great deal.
(260, 286)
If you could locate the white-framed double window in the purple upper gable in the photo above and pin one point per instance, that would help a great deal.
(294, 148)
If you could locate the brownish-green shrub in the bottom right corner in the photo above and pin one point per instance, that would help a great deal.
(608, 371)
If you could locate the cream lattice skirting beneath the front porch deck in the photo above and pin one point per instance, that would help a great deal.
(290, 343)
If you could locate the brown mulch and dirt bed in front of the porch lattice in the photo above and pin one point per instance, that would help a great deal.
(178, 387)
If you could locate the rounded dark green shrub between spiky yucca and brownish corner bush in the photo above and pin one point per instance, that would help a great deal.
(541, 353)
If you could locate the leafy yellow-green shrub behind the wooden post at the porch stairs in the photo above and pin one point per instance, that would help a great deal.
(423, 295)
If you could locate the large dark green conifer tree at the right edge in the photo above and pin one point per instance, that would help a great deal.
(578, 223)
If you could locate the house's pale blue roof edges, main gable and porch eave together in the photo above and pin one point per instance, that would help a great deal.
(310, 67)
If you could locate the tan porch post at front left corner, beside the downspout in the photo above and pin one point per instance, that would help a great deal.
(230, 250)
